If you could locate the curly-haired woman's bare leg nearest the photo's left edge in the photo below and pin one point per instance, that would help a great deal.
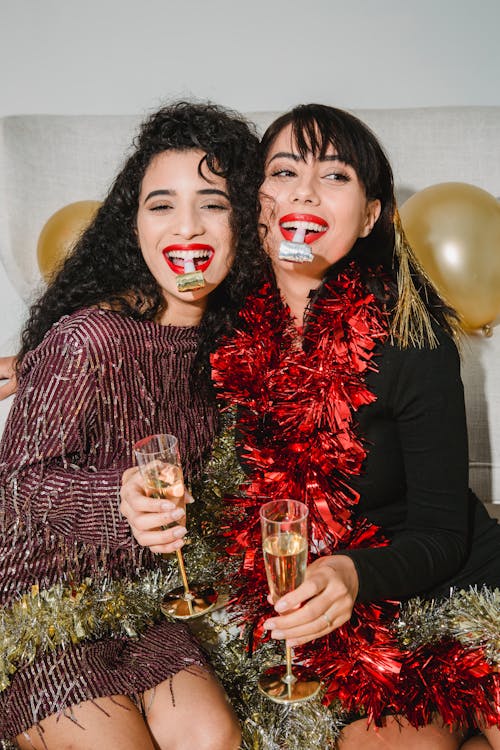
(112, 723)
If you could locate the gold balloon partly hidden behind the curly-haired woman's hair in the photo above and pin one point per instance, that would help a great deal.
(61, 232)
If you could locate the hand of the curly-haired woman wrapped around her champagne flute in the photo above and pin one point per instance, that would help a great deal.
(150, 518)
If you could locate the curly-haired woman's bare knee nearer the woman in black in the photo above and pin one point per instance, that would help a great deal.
(201, 717)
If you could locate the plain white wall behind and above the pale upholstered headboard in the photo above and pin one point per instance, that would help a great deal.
(126, 56)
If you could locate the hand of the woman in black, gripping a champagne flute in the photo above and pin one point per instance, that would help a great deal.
(319, 605)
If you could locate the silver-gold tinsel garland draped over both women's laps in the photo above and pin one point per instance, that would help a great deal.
(42, 620)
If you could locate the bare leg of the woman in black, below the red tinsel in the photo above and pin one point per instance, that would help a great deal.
(397, 734)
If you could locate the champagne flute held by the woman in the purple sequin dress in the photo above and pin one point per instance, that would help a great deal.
(159, 462)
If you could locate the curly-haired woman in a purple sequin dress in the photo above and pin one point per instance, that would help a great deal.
(116, 349)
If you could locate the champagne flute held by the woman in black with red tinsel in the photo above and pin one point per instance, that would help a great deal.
(284, 543)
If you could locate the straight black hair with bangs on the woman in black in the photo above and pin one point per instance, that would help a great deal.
(314, 128)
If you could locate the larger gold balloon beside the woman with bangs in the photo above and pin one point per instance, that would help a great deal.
(454, 229)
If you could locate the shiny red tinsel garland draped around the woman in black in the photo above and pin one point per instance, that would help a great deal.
(297, 401)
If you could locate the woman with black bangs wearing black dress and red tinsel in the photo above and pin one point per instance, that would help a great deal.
(346, 378)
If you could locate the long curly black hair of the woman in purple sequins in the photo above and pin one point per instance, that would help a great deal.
(106, 266)
